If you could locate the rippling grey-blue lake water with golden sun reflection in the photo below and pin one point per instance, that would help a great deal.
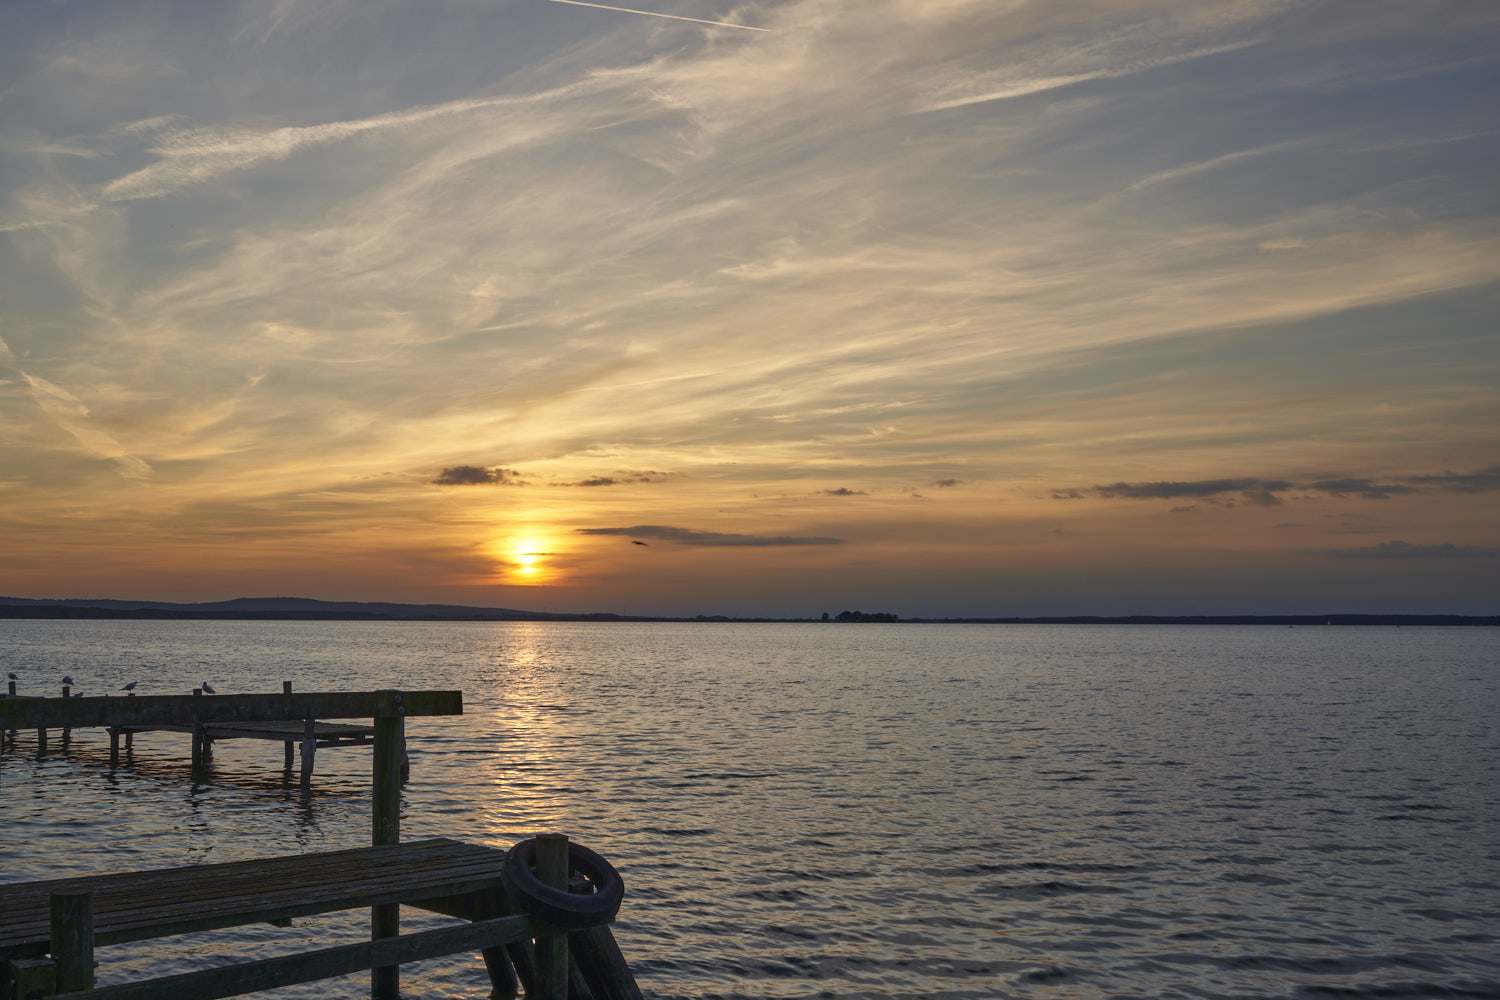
(851, 810)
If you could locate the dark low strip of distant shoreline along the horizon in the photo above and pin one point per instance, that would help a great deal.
(307, 609)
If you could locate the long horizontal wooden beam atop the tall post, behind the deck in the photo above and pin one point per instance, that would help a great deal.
(187, 710)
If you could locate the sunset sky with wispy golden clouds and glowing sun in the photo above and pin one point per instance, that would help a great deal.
(937, 308)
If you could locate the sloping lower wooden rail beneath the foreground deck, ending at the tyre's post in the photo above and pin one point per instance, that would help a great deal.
(232, 981)
